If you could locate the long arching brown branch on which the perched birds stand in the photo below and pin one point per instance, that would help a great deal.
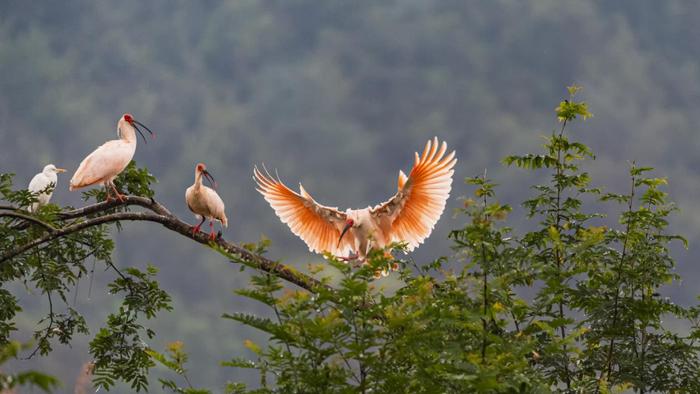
(159, 214)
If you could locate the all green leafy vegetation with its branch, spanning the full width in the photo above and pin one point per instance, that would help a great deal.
(572, 305)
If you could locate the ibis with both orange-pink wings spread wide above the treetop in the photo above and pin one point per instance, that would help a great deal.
(409, 216)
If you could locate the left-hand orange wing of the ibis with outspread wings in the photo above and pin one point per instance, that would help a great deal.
(319, 226)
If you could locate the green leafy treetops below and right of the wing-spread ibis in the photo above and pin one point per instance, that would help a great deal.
(594, 321)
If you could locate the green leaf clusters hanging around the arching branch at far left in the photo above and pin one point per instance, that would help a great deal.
(55, 268)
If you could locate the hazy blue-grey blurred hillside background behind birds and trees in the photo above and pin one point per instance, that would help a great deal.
(338, 95)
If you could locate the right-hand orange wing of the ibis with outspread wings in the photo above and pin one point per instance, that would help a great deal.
(415, 209)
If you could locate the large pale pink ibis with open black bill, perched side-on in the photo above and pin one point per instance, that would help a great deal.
(110, 159)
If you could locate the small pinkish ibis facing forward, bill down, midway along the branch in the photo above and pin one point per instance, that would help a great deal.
(204, 201)
